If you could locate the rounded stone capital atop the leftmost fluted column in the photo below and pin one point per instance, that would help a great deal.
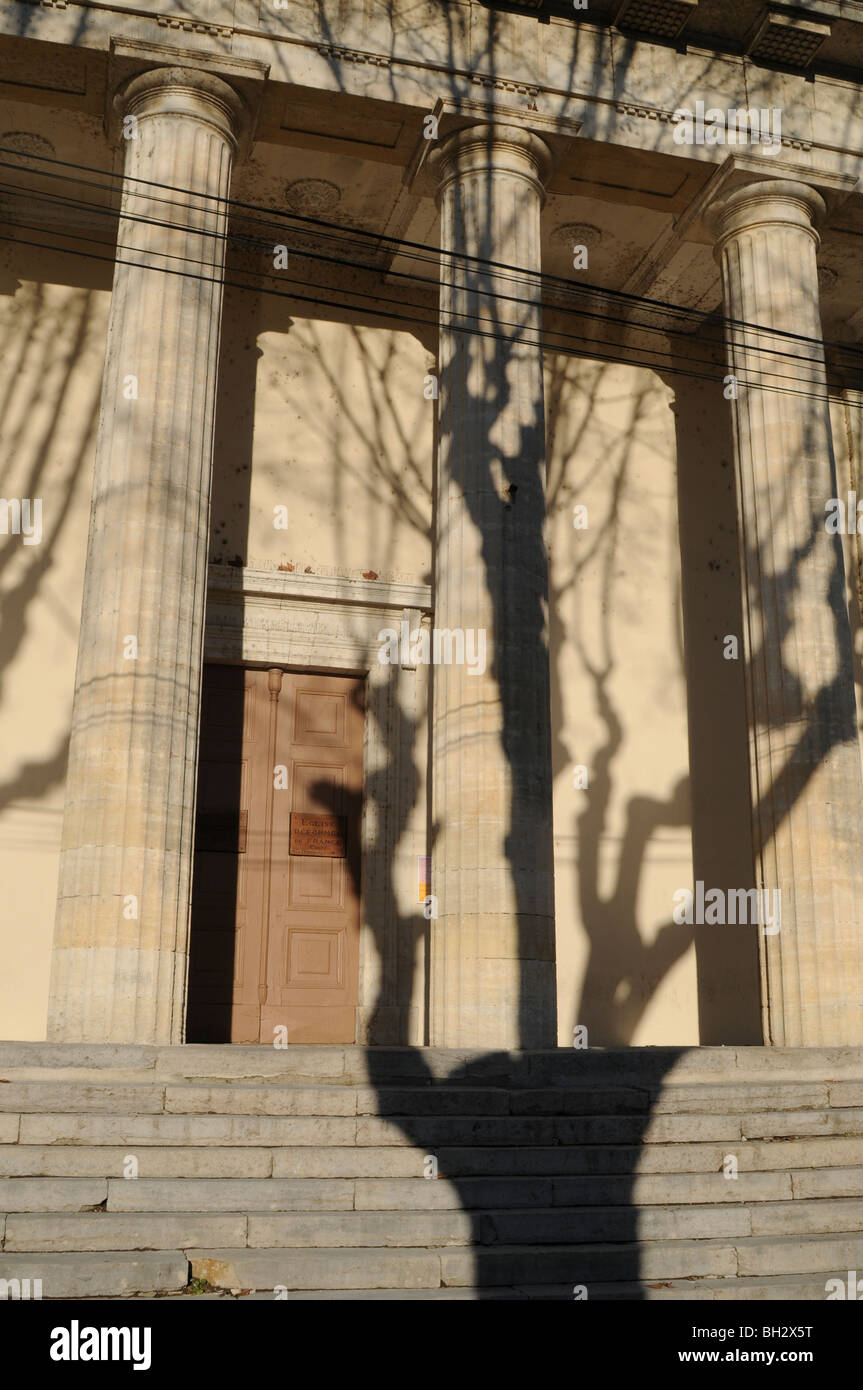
(180, 91)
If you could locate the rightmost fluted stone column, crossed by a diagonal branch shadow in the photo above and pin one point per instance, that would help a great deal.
(805, 757)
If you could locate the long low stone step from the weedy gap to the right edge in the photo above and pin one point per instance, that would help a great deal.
(387, 1268)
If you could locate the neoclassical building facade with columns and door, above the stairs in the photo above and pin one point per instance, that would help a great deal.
(433, 452)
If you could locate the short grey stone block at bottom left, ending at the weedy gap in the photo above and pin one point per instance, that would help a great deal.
(105, 1275)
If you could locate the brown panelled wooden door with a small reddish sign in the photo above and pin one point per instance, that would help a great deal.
(276, 913)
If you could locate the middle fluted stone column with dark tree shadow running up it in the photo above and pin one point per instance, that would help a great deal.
(493, 943)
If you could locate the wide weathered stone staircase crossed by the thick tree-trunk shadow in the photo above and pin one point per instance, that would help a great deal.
(341, 1172)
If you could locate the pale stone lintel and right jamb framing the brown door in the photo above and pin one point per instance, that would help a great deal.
(262, 618)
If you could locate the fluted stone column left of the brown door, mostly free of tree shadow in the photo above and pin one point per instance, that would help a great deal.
(123, 914)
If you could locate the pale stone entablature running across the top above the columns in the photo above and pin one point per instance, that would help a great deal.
(620, 88)
